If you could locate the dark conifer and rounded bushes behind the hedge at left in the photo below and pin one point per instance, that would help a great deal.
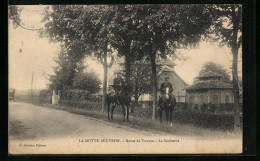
(71, 73)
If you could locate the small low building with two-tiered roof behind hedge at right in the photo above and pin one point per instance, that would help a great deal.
(209, 88)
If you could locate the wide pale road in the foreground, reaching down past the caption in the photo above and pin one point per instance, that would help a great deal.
(43, 130)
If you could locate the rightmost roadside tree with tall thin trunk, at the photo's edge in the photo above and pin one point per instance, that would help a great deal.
(228, 27)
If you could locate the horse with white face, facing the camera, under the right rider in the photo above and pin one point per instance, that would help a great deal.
(167, 104)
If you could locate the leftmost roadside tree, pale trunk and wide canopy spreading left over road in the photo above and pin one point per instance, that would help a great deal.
(86, 29)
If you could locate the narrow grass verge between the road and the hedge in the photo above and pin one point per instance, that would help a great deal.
(150, 125)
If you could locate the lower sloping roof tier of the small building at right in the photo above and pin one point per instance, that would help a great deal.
(210, 85)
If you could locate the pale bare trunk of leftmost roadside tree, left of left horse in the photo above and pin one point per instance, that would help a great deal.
(104, 100)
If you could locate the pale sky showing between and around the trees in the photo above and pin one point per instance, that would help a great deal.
(29, 53)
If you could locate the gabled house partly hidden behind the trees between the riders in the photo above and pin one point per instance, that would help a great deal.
(166, 68)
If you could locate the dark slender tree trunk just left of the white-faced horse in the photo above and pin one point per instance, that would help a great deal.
(154, 83)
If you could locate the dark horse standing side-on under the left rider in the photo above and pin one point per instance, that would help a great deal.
(123, 99)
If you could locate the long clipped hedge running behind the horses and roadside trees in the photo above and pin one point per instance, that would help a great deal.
(206, 115)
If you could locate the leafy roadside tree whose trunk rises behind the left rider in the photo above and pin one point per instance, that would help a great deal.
(125, 36)
